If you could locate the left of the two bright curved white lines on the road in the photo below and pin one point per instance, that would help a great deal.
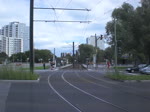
(60, 94)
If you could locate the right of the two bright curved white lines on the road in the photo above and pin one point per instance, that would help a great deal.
(93, 95)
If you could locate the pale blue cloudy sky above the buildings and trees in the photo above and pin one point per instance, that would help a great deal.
(52, 35)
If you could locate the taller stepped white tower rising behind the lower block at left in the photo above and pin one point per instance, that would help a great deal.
(17, 30)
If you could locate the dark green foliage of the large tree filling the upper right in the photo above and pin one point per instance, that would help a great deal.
(133, 30)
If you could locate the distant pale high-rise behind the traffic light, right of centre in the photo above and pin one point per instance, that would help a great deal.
(100, 42)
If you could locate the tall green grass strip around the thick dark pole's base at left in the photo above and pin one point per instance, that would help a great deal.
(9, 73)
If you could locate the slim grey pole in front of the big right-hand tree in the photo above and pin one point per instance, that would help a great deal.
(115, 45)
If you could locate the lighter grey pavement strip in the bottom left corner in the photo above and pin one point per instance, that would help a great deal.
(4, 89)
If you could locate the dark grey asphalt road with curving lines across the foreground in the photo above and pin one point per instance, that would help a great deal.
(78, 91)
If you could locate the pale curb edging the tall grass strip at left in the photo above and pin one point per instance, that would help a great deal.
(21, 81)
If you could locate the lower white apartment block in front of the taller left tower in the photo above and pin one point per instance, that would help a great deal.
(11, 45)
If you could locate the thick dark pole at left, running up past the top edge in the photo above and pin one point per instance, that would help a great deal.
(31, 37)
